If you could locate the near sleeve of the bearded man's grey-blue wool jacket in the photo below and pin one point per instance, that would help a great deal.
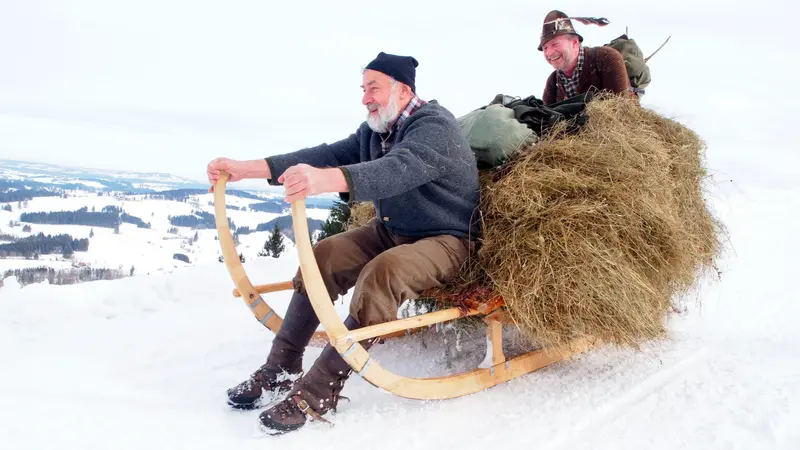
(420, 157)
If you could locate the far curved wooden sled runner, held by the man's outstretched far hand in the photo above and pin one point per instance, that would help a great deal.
(244, 288)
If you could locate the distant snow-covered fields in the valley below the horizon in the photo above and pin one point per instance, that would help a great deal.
(147, 250)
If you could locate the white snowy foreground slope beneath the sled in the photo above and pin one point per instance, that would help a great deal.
(144, 362)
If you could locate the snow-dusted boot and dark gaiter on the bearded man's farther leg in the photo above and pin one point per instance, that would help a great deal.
(284, 364)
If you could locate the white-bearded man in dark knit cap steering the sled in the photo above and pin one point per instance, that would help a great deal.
(411, 160)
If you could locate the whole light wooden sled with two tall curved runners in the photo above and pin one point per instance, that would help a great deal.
(346, 342)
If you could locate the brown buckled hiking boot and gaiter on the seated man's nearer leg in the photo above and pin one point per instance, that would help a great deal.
(314, 394)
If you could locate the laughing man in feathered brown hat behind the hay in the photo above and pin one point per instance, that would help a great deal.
(578, 69)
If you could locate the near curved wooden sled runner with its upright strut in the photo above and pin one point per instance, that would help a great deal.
(347, 342)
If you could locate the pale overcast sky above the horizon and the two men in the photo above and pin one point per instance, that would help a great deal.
(167, 85)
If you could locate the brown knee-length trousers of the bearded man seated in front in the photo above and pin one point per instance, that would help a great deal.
(384, 268)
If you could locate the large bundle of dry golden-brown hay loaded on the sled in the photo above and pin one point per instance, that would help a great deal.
(597, 233)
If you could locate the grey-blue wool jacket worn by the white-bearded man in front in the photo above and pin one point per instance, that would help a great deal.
(426, 184)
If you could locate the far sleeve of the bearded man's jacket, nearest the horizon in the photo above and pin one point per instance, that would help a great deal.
(343, 152)
